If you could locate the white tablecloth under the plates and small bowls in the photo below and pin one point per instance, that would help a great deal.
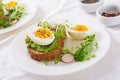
(57, 10)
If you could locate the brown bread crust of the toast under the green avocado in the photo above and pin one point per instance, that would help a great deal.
(47, 56)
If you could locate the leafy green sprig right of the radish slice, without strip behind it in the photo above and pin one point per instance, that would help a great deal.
(87, 46)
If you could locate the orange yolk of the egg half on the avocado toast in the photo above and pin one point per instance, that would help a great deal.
(43, 33)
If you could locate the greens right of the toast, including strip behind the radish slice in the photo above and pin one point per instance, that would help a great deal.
(84, 52)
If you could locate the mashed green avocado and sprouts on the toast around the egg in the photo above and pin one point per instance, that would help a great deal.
(58, 32)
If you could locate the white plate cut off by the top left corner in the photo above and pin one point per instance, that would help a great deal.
(30, 9)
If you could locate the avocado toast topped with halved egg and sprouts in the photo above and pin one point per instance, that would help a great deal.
(45, 42)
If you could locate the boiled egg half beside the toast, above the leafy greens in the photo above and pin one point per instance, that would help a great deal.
(78, 32)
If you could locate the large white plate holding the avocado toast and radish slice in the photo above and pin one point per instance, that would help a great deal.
(20, 56)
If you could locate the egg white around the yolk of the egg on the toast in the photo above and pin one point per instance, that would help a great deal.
(40, 41)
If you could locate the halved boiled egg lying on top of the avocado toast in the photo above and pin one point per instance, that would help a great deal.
(41, 36)
